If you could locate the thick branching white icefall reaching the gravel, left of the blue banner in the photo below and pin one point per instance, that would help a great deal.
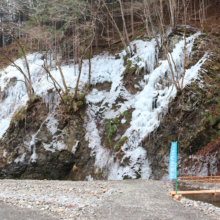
(145, 118)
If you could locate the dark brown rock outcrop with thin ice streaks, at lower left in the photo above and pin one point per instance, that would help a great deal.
(34, 148)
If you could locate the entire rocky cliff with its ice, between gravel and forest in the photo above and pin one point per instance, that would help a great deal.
(131, 116)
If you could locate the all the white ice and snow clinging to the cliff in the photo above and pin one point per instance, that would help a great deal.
(157, 88)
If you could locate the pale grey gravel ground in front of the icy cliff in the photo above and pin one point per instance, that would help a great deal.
(102, 200)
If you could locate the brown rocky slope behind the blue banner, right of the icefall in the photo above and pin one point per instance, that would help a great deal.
(192, 120)
